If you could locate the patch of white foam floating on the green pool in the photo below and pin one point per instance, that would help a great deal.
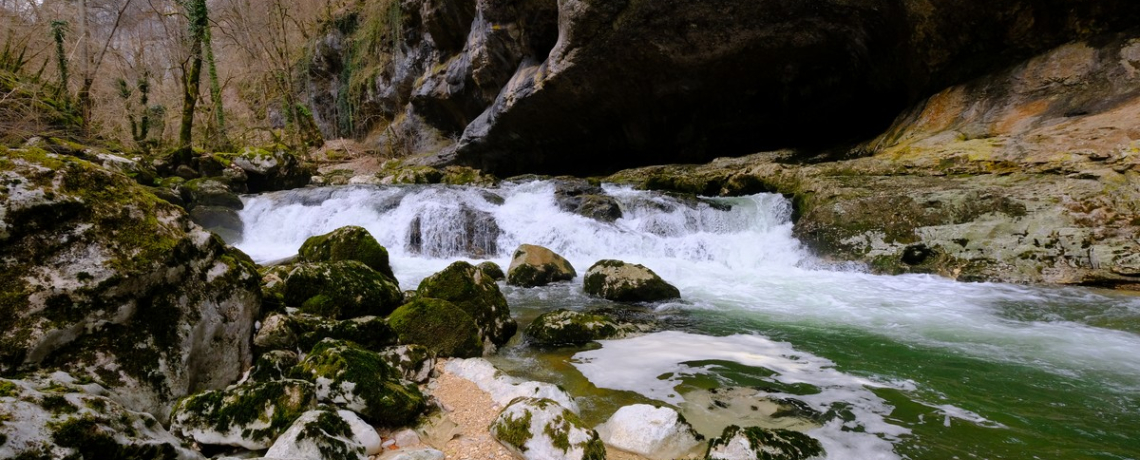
(638, 365)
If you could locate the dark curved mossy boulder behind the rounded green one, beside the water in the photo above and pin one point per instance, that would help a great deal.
(469, 289)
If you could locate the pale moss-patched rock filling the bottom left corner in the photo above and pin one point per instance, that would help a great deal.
(58, 418)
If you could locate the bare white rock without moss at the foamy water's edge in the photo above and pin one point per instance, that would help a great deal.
(655, 433)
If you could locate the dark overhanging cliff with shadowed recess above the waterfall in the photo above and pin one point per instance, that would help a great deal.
(584, 87)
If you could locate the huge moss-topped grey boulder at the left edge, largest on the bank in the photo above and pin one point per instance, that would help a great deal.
(102, 280)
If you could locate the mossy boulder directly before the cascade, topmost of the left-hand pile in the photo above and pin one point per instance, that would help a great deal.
(348, 244)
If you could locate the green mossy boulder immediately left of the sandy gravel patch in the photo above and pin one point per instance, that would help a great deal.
(361, 381)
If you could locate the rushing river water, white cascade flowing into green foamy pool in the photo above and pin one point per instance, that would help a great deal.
(892, 367)
